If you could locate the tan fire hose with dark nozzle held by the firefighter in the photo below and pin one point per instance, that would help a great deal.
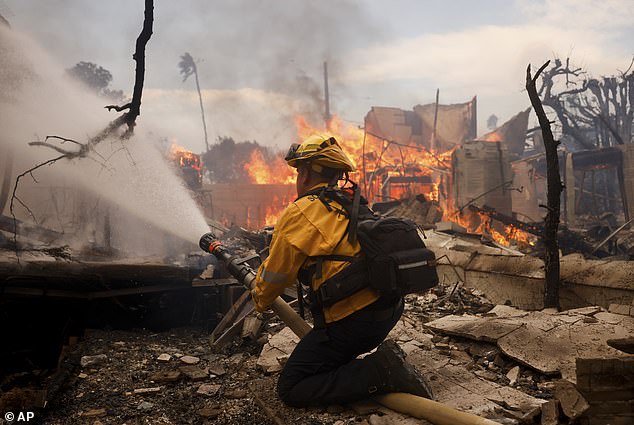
(417, 407)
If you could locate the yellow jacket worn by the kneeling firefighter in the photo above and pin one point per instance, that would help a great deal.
(306, 229)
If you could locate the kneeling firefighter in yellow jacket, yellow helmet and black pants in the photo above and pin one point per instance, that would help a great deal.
(312, 243)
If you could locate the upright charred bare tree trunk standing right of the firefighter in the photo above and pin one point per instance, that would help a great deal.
(554, 189)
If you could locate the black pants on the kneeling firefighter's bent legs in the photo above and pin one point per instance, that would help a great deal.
(325, 373)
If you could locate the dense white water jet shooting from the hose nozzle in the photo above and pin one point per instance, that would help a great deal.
(37, 99)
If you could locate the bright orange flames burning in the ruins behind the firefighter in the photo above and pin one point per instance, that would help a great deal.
(376, 159)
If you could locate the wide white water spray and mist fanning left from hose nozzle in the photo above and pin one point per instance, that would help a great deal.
(127, 181)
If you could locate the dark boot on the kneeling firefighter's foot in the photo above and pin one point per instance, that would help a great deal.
(395, 375)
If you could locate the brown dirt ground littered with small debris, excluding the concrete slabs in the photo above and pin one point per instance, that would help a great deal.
(177, 377)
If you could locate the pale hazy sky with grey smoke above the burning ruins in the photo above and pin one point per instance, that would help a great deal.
(260, 62)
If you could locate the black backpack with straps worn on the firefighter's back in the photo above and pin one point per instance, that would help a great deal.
(395, 260)
